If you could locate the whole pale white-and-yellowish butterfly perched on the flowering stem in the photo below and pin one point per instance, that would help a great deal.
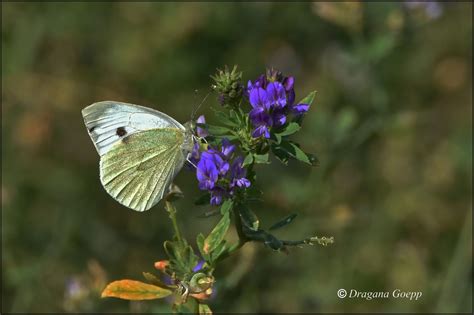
(141, 150)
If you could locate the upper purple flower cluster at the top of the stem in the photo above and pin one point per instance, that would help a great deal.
(272, 98)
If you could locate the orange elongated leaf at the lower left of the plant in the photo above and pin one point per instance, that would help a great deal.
(134, 290)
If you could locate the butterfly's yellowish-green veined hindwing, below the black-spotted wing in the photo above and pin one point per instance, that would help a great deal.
(137, 170)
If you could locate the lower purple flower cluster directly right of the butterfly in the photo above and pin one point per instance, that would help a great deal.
(219, 172)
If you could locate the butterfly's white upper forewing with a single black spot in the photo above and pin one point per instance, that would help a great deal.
(109, 122)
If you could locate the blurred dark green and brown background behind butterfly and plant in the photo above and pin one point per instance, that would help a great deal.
(391, 125)
